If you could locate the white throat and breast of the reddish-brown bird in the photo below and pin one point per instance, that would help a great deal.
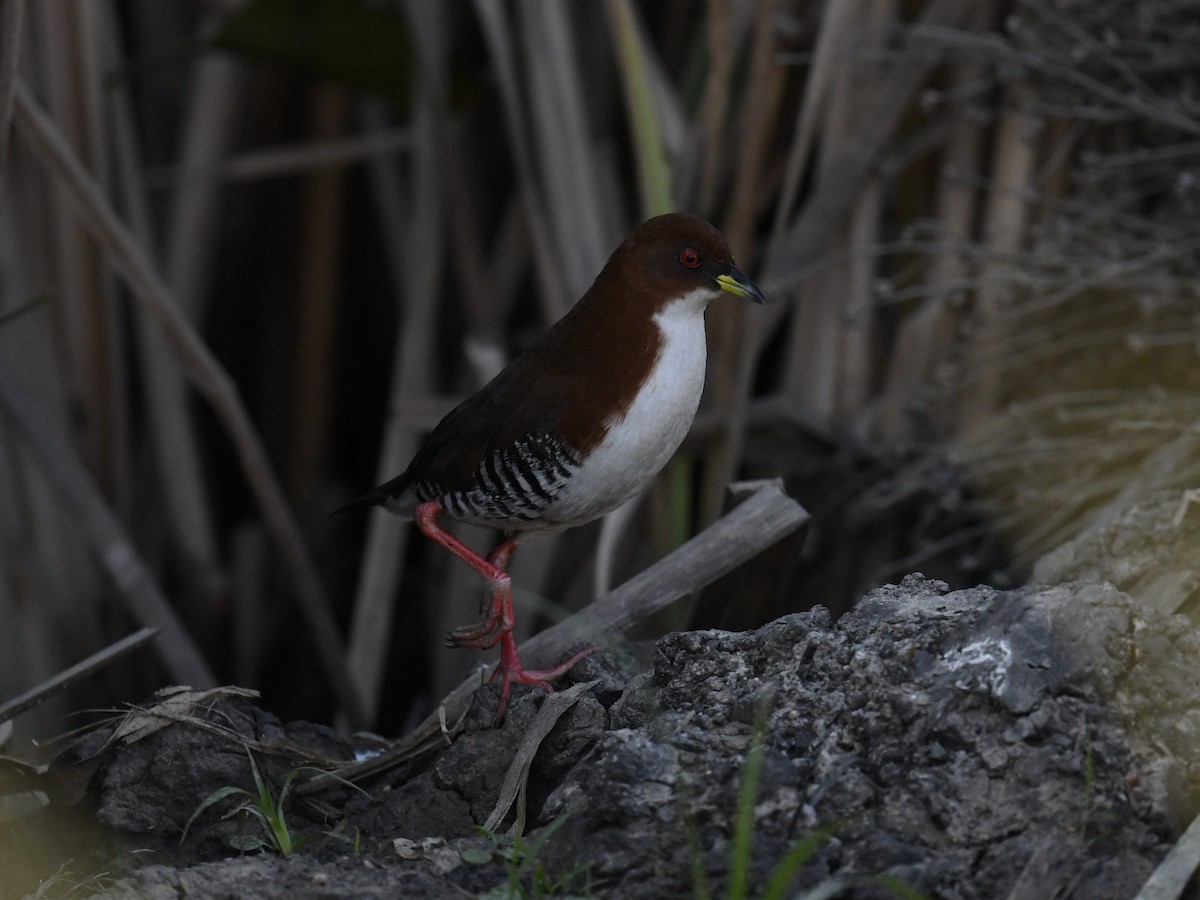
(640, 445)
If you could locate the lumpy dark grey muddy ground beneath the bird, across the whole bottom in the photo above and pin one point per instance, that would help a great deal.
(1034, 743)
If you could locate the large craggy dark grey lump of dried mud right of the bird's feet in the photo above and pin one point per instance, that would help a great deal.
(944, 740)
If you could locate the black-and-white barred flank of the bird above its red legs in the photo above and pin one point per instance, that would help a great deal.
(518, 483)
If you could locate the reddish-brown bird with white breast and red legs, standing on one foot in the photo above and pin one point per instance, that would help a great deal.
(578, 424)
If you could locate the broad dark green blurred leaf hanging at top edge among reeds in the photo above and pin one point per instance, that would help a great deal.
(343, 40)
